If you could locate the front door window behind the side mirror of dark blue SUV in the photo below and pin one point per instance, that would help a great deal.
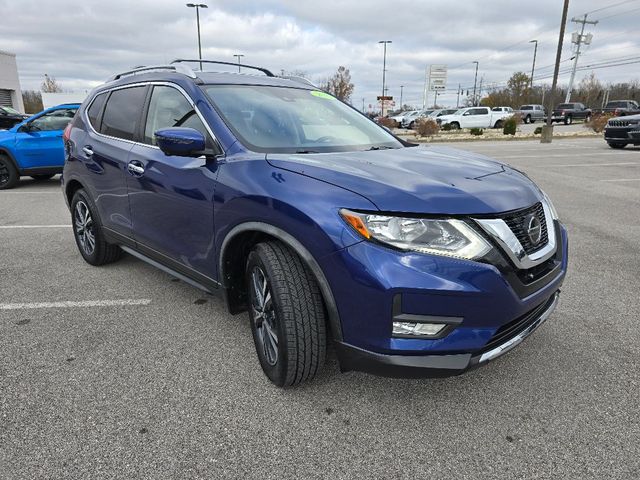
(169, 108)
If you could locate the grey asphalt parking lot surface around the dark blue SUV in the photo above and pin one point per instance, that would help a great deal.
(141, 376)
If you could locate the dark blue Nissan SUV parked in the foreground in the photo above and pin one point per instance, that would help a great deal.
(411, 260)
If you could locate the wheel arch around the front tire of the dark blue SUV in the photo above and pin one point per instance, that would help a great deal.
(233, 252)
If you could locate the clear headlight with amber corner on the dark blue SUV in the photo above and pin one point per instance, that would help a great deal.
(449, 237)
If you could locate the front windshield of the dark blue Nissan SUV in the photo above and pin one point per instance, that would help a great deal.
(293, 120)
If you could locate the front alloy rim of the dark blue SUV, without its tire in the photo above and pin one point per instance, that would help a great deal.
(264, 315)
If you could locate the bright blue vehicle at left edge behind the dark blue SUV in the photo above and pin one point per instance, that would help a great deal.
(34, 147)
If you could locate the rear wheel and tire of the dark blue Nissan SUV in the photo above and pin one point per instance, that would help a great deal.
(87, 230)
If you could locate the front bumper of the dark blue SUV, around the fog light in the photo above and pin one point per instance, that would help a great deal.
(483, 298)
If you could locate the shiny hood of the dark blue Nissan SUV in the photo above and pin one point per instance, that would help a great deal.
(423, 179)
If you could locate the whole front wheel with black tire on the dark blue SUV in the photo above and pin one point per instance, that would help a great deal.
(286, 313)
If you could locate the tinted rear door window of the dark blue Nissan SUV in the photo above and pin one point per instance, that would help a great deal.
(122, 112)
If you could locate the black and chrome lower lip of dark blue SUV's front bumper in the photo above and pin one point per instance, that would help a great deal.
(413, 366)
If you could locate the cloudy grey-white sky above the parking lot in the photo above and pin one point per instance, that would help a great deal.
(82, 43)
